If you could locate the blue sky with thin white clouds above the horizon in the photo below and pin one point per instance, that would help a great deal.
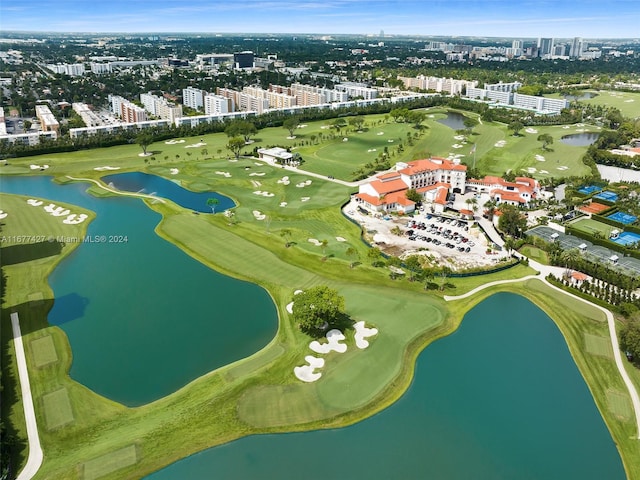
(528, 18)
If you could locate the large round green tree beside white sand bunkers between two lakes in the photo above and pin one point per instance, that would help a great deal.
(317, 309)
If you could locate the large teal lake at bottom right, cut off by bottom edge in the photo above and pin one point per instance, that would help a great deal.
(501, 398)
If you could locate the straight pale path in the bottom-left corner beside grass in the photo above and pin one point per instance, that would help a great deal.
(35, 451)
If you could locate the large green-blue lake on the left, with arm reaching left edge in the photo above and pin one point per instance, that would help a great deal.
(143, 318)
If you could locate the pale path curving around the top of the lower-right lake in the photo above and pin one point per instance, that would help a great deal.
(558, 272)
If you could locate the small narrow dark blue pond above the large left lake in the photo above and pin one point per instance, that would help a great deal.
(154, 185)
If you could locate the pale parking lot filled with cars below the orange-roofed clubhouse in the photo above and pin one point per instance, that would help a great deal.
(458, 243)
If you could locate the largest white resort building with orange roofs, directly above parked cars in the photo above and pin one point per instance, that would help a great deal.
(433, 178)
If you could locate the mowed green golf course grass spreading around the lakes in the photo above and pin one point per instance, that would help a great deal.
(87, 436)
